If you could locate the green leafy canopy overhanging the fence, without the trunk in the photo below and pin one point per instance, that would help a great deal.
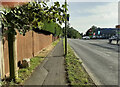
(32, 15)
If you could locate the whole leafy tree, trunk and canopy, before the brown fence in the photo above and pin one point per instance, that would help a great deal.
(27, 17)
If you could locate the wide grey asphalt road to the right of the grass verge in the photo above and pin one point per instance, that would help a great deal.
(99, 58)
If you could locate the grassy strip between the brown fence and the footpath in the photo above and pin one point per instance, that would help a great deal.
(25, 73)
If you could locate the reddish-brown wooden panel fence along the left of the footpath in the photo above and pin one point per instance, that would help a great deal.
(27, 46)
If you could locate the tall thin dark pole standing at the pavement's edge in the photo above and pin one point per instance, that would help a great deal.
(65, 27)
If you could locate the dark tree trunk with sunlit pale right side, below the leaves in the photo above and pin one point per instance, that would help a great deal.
(12, 56)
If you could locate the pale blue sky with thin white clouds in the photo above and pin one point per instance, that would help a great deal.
(86, 13)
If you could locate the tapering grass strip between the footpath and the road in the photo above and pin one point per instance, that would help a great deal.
(76, 74)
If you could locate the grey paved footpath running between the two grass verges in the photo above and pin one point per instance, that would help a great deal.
(51, 71)
